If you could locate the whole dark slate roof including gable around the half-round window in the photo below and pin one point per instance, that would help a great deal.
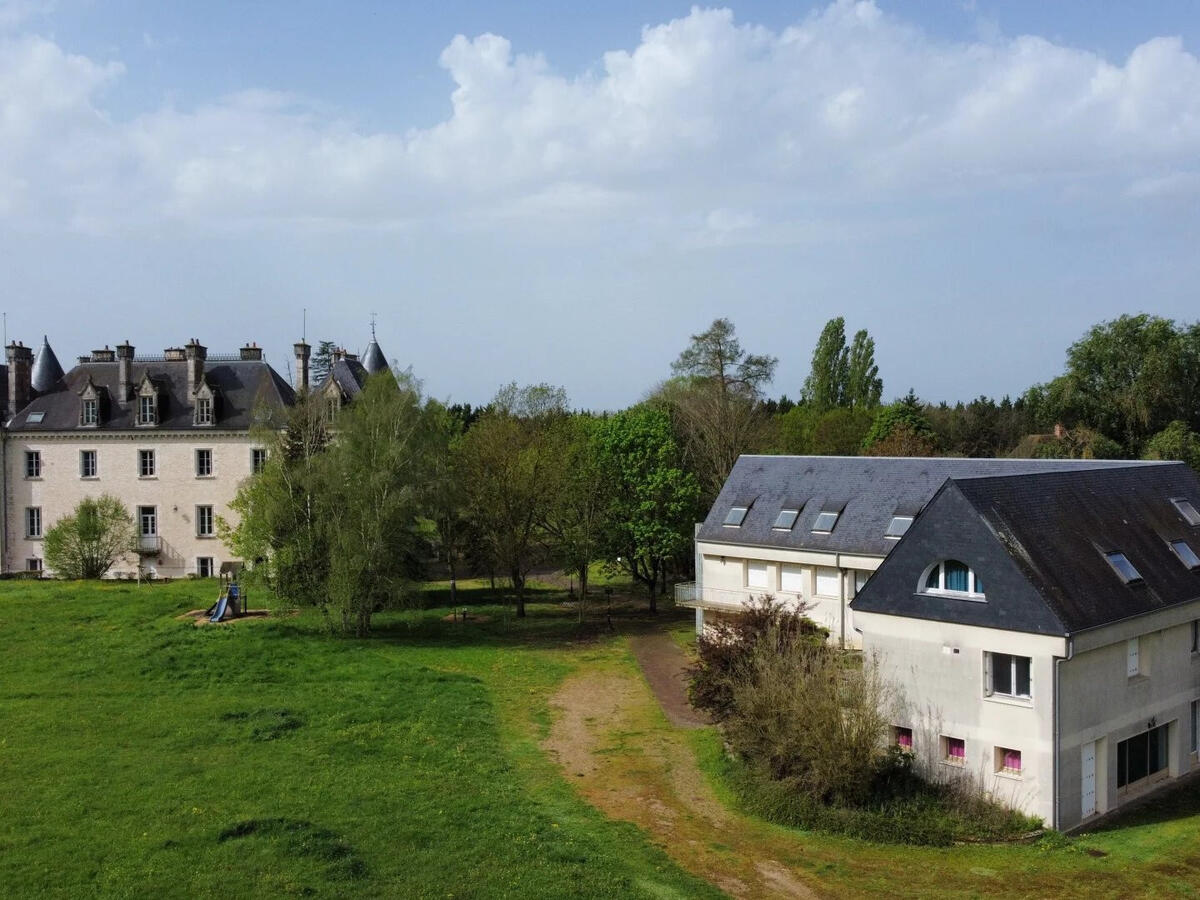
(1052, 532)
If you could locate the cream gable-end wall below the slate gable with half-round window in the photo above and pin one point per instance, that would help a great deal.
(939, 673)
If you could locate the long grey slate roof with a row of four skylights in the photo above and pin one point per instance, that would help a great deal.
(873, 489)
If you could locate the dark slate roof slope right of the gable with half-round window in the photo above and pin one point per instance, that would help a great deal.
(1059, 526)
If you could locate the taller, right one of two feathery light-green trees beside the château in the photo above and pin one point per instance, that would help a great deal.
(379, 478)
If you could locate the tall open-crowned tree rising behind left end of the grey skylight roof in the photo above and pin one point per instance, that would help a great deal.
(716, 399)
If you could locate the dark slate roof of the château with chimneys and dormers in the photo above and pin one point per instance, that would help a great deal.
(241, 386)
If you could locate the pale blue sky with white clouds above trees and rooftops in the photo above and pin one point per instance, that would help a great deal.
(566, 193)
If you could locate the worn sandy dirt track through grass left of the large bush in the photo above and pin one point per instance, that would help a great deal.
(609, 740)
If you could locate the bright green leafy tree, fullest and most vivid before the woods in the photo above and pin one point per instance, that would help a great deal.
(655, 500)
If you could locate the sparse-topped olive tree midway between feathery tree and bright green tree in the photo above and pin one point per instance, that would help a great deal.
(506, 460)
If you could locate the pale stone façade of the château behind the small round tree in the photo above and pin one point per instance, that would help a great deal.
(176, 490)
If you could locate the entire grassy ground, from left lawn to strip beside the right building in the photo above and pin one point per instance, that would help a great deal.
(145, 757)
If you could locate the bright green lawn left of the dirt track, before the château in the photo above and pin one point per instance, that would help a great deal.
(141, 755)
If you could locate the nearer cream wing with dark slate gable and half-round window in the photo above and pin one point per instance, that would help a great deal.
(1045, 631)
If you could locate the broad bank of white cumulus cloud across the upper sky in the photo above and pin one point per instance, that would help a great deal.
(706, 119)
